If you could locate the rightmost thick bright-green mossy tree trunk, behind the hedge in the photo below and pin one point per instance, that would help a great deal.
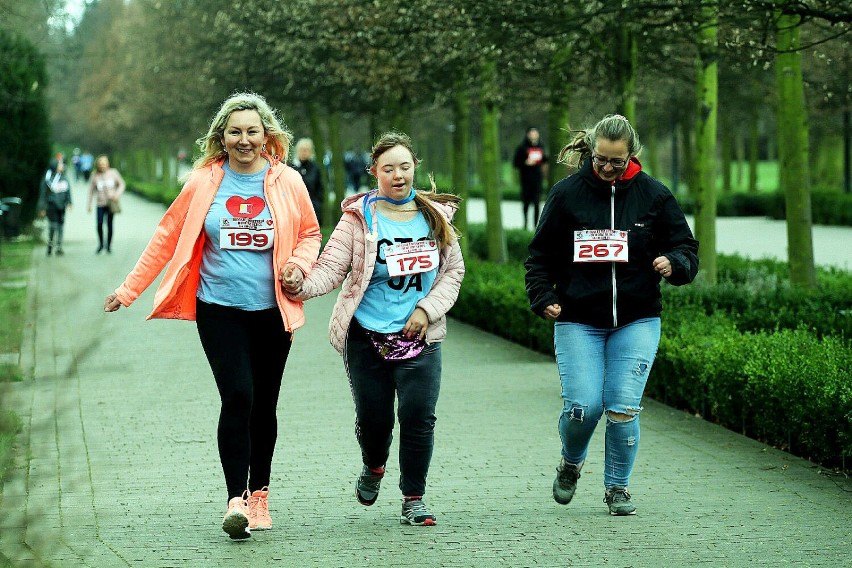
(793, 152)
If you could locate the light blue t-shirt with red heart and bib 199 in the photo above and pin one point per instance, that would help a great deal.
(238, 277)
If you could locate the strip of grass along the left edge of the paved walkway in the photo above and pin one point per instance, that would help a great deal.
(15, 261)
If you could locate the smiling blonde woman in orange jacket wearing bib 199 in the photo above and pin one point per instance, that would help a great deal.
(242, 218)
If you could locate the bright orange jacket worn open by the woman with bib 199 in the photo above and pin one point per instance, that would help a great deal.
(179, 241)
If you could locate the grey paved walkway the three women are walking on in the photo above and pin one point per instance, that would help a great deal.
(118, 465)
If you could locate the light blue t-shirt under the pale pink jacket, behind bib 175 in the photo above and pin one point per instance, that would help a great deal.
(390, 301)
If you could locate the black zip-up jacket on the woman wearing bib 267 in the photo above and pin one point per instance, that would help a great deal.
(608, 294)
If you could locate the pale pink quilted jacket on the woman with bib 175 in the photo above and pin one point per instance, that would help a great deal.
(352, 246)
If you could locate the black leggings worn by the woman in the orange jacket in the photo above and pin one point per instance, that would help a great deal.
(247, 352)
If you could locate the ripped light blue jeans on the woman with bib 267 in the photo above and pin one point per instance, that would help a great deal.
(604, 371)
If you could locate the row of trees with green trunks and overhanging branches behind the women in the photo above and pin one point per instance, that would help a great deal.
(149, 74)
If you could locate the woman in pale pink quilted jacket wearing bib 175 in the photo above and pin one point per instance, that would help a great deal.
(398, 258)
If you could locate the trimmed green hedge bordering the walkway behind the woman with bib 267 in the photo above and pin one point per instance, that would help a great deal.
(752, 353)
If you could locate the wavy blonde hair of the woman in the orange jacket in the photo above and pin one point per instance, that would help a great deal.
(278, 141)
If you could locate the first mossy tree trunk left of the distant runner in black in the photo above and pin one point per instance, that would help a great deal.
(490, 163)
